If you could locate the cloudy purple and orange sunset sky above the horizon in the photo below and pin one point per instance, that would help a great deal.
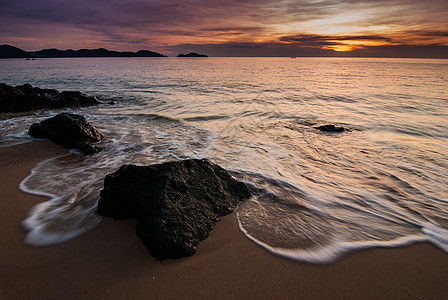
(401, 28)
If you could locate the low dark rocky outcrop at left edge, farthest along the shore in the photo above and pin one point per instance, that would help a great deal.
(25, 97)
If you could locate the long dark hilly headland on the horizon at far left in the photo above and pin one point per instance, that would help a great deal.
(7, 51)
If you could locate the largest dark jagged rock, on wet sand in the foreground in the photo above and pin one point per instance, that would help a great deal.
(176, 203)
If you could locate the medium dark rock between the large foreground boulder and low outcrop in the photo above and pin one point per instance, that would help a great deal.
(69, 130)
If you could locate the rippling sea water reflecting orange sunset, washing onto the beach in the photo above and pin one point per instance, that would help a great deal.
(381, 183)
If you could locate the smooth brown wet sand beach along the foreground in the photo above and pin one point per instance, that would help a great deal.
(109, 262)
